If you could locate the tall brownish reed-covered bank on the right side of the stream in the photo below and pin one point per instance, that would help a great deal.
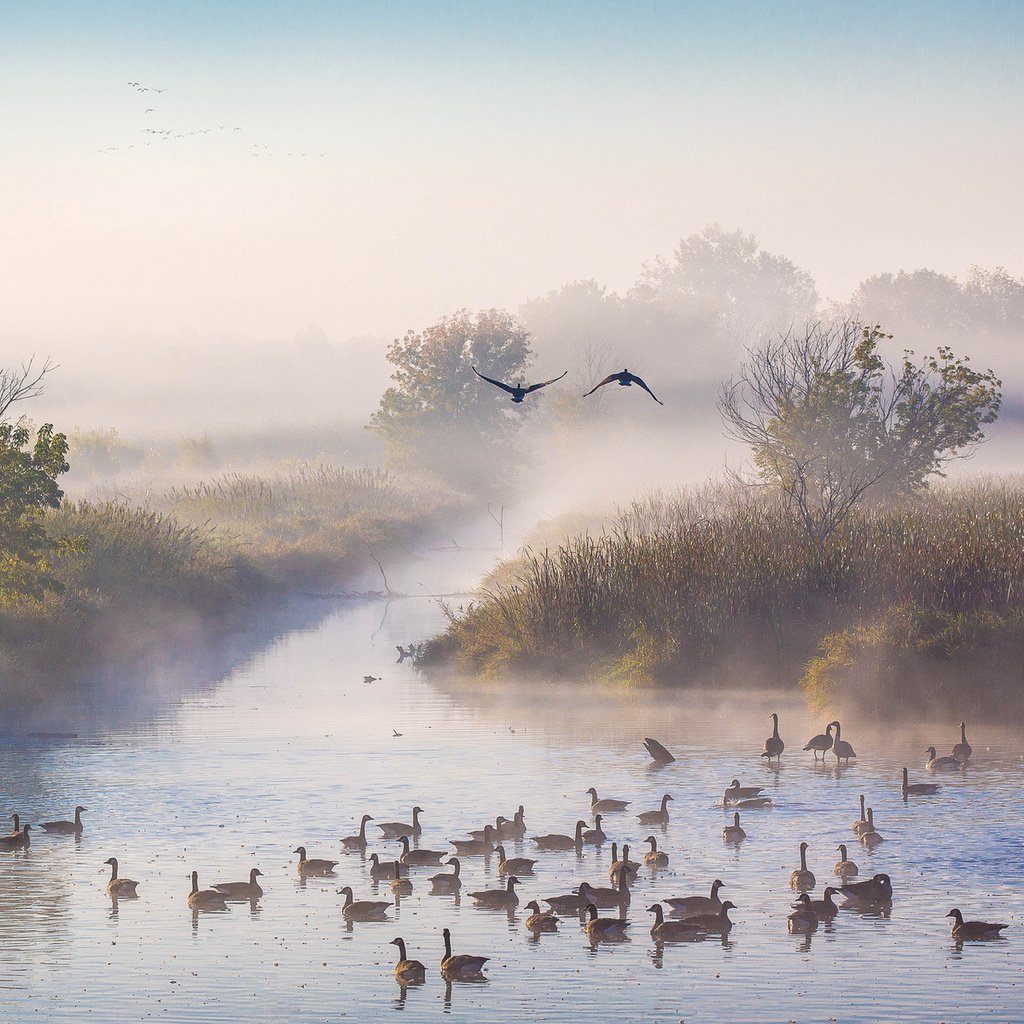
(903, 603)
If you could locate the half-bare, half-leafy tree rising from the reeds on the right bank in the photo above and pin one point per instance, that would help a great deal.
(829, 422)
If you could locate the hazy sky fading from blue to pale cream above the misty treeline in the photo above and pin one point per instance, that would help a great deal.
(382, 164)
